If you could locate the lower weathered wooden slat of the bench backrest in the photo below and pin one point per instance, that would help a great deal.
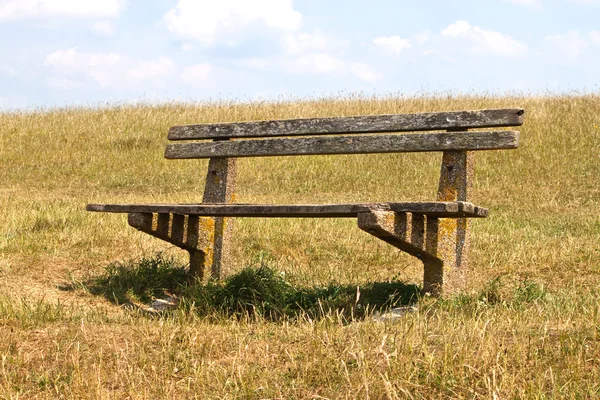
(399, 143)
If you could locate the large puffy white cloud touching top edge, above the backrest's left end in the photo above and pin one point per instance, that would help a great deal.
(209, 21)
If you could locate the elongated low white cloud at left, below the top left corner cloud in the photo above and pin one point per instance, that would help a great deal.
(107, 69)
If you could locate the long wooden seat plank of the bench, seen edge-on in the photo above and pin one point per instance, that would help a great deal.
(438, 209)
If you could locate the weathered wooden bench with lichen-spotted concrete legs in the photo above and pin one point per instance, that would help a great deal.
(436, 232)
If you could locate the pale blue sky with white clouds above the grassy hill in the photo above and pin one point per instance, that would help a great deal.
(56, 53)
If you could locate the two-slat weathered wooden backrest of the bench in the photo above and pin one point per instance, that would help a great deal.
(349, 135)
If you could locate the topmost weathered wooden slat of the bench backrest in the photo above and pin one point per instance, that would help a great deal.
(360, 124)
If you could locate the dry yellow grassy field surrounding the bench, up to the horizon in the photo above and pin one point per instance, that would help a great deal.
(528, 328)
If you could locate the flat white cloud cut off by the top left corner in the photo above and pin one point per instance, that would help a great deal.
(20, 9)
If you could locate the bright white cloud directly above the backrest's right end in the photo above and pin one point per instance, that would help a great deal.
(484, 41)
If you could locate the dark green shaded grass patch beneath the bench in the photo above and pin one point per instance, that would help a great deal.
(258, 291)
